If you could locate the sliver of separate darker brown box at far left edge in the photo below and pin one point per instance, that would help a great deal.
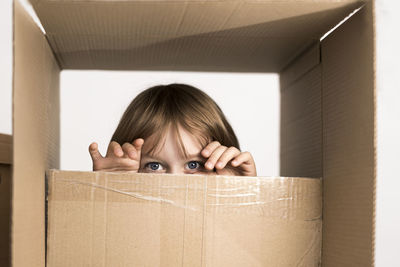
(5, 198)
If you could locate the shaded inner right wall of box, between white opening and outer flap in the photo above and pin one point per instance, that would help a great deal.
(301, 122)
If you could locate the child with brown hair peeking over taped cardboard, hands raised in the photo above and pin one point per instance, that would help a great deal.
(174, 128)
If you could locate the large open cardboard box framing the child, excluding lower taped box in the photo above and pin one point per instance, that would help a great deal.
(327, 93)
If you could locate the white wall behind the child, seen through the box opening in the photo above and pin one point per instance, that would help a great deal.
(93, 102)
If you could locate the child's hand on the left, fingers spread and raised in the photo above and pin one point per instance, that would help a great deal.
(125, 158)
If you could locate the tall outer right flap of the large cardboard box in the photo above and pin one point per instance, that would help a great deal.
(349, 142)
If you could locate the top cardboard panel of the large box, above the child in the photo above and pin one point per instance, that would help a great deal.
(253, 36)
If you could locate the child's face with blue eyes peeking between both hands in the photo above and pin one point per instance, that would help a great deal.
(170, 159)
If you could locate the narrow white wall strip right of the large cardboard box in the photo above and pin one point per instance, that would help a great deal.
(388, 132)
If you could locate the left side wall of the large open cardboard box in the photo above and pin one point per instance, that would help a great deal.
(35, 137)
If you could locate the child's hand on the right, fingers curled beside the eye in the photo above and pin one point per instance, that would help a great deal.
(228, 161)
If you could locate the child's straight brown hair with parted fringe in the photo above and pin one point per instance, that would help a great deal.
(156, 109)
